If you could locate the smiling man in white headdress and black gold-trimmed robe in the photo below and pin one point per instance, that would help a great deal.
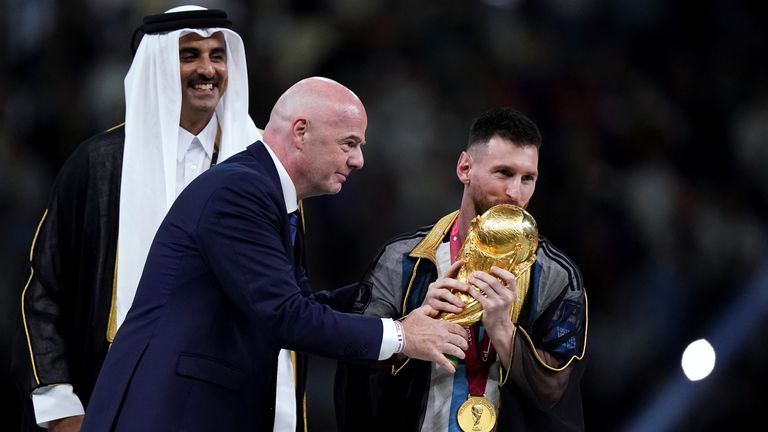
(186, 108)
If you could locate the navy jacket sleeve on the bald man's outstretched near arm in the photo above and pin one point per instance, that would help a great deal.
(243, 236)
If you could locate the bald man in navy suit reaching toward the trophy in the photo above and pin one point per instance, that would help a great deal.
(223, 295)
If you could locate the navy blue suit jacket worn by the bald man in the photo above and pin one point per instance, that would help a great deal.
(219, 296)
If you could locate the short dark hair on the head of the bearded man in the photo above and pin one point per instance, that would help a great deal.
(507, 123)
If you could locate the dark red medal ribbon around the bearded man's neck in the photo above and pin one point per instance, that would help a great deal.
(478, 362)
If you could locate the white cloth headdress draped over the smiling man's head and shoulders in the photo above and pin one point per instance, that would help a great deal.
(153, 97)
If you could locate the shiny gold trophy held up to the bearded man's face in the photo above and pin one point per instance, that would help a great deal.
(505, 236)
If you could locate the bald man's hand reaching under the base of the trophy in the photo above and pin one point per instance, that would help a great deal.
(429, 339)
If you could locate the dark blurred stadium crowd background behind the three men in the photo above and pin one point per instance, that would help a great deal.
(654, 169)
